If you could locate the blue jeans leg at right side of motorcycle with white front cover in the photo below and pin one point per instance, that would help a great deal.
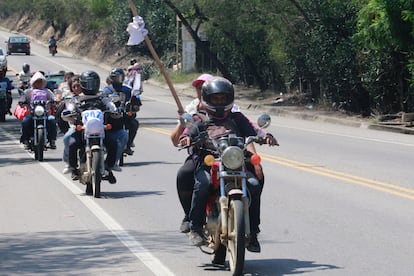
(115, 142)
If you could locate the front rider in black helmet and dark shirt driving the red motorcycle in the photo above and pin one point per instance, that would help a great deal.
(218, 98)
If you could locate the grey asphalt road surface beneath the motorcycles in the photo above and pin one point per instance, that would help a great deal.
(338, 200)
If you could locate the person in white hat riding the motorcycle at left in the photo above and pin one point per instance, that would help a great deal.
(38, 91)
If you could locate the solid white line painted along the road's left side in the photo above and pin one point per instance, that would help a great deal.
(111, 224)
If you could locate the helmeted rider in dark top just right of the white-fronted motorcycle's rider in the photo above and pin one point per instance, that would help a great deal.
(117, 77)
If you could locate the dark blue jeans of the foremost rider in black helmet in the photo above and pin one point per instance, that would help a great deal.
(202, 190)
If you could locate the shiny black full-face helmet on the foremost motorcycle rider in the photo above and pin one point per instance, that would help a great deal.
(214, 86)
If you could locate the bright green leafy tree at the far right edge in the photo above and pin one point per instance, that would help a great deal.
(385, 38)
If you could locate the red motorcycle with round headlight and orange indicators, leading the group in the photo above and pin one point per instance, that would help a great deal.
(227, 224)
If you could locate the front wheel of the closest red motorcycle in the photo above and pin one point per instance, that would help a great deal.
(236, 243)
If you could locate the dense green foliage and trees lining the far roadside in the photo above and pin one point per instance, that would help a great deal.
(354, 55)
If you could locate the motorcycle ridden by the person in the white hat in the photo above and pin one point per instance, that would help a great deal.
(37, 143)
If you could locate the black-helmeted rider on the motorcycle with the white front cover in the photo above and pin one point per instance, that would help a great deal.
(89, 83)
